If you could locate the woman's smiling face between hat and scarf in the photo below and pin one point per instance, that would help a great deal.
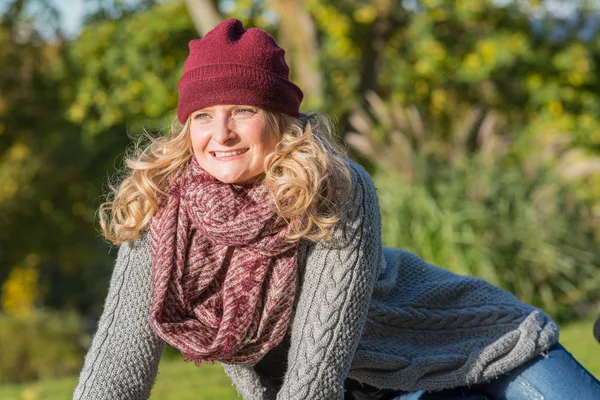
(231, 142)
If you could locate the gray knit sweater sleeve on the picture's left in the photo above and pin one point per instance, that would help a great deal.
(123, 360)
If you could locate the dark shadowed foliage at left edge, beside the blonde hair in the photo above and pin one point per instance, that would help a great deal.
(49, 180)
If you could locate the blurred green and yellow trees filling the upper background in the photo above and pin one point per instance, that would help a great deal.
(69, 109)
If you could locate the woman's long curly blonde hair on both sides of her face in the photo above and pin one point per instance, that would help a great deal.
(305, 174)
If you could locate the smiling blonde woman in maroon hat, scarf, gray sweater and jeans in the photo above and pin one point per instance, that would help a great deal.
(246, 239)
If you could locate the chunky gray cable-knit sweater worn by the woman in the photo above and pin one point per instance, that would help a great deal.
(378, 315)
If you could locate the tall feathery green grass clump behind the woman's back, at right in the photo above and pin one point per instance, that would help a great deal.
(478, 212)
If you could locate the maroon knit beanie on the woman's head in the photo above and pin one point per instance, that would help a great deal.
(232, 65)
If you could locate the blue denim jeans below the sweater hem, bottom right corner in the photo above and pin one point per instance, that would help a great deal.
(555, 376)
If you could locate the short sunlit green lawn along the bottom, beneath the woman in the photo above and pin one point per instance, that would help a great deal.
(184, 381)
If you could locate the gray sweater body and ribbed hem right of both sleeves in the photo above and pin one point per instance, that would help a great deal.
(430, 329)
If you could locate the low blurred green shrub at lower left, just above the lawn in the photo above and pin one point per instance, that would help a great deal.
(43, 345)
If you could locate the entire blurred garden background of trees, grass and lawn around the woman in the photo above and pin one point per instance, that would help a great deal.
(478, 120)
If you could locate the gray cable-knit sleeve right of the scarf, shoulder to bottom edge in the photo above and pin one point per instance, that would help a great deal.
(333, 302)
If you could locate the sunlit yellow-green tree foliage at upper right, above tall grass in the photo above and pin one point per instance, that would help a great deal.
(445, 57)
